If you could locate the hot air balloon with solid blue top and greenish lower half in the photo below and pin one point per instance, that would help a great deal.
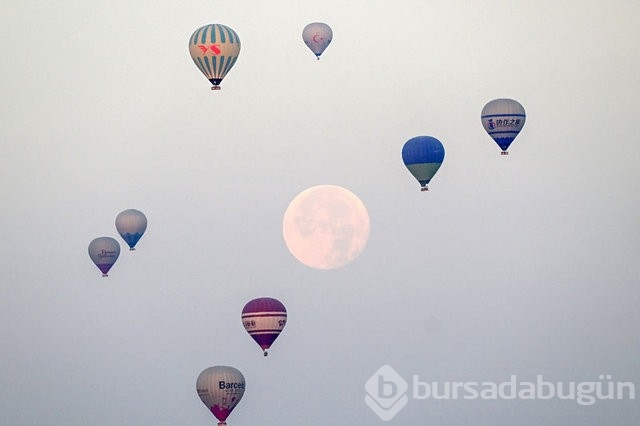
(423, 156)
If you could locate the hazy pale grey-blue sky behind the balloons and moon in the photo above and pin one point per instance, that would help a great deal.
(525, 265)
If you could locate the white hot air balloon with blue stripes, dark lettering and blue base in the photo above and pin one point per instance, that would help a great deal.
(503, 119)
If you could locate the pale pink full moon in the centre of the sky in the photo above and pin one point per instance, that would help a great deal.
(326, 227)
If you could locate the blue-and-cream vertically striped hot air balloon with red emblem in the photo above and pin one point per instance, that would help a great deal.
(214, 49)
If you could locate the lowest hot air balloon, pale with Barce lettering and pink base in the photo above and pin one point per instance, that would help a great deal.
(220, 388)
